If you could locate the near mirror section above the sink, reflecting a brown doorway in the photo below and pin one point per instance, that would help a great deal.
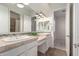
(14, 20)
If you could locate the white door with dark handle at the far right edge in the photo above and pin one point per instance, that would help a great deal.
(76, 29)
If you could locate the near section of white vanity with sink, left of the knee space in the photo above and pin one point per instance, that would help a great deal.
(22, 47)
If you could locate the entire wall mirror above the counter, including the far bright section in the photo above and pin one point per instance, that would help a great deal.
(24, 19)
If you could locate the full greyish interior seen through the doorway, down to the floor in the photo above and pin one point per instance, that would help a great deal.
(60, 31)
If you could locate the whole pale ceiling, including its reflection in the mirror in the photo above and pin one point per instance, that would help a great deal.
(45, 8)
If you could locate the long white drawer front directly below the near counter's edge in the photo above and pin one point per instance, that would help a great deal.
(18, 50)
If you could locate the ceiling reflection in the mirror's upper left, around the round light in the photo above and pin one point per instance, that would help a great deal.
(26, 10)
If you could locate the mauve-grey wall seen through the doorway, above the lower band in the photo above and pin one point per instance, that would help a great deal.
(60, 28)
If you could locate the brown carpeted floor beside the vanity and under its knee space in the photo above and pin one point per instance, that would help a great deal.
(53, 52)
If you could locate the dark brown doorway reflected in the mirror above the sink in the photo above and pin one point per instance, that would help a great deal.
(14, 22)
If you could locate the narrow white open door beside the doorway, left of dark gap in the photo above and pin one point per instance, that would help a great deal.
(67, 36)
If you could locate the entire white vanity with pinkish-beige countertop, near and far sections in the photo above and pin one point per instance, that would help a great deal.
(23, 44)
